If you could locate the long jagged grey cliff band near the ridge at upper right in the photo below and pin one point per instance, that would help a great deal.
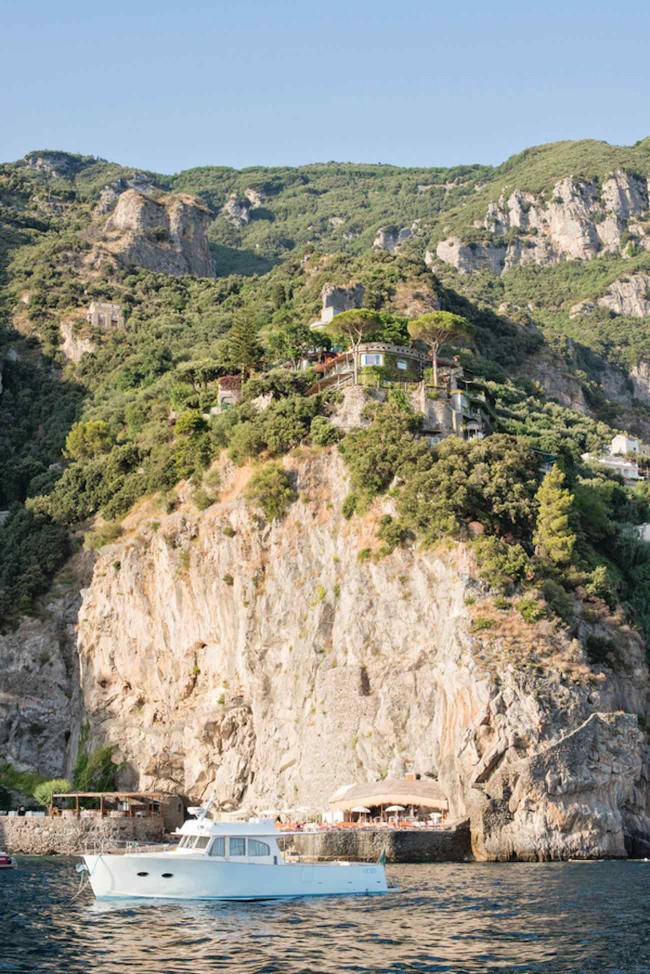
(579, 221)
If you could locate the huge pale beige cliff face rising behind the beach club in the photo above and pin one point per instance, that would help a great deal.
(274, 664)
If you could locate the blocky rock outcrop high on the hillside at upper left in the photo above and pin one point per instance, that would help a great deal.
(167, 234)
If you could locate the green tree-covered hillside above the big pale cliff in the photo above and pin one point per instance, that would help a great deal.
(132, 419)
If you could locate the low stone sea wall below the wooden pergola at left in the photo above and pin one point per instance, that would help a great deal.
(70, 837)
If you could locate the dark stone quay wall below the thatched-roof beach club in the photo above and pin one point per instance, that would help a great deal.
(400, 845)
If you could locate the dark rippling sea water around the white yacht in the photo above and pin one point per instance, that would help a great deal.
(555, 918)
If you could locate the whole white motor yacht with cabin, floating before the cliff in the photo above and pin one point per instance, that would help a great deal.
(226, 861)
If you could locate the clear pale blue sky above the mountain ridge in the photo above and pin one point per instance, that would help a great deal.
(170, 85)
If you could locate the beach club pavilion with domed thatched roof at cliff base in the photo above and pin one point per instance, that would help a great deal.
(393, 799)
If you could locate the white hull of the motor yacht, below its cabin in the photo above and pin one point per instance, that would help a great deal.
(173, 877)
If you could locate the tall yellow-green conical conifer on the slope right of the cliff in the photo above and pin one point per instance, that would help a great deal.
(553, 537)
